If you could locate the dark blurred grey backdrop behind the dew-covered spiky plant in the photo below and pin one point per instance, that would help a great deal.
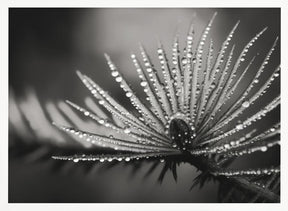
(47, 46)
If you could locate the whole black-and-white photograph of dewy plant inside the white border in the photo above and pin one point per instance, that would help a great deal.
(144, 105)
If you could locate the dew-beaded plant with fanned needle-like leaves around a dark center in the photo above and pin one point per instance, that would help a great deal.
(189, 116)
